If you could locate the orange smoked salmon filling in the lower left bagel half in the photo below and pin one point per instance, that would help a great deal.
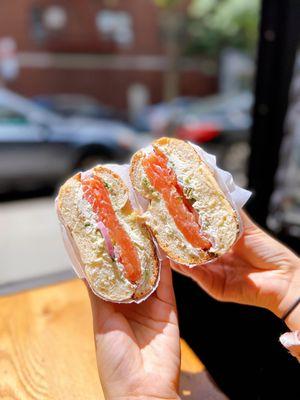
(95, 192)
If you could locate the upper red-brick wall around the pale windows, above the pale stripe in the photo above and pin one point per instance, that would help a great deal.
(16, 19)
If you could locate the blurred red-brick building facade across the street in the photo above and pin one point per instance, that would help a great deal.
(96, 47)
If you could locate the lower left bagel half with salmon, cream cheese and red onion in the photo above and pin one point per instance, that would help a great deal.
(114, 245)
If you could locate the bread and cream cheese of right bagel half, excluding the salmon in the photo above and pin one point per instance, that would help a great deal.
(218, 220)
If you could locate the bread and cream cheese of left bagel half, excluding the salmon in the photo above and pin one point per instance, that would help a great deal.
(105, 275)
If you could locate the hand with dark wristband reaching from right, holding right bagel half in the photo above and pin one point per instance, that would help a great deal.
(257, 271)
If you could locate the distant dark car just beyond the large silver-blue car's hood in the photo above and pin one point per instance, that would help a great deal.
(80, 105)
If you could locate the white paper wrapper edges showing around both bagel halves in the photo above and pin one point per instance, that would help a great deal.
(236, 195)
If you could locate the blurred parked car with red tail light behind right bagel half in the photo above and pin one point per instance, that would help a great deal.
(218, 123)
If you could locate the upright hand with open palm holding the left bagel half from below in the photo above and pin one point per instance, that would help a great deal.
(137, 345)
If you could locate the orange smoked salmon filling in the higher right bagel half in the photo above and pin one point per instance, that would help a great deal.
(164, 180)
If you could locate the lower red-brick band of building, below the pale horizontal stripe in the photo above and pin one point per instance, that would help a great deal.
(110, 87)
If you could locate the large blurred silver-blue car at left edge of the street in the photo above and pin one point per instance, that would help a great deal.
(39, 147)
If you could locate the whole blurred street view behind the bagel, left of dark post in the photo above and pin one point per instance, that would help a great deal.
(95, 80)
